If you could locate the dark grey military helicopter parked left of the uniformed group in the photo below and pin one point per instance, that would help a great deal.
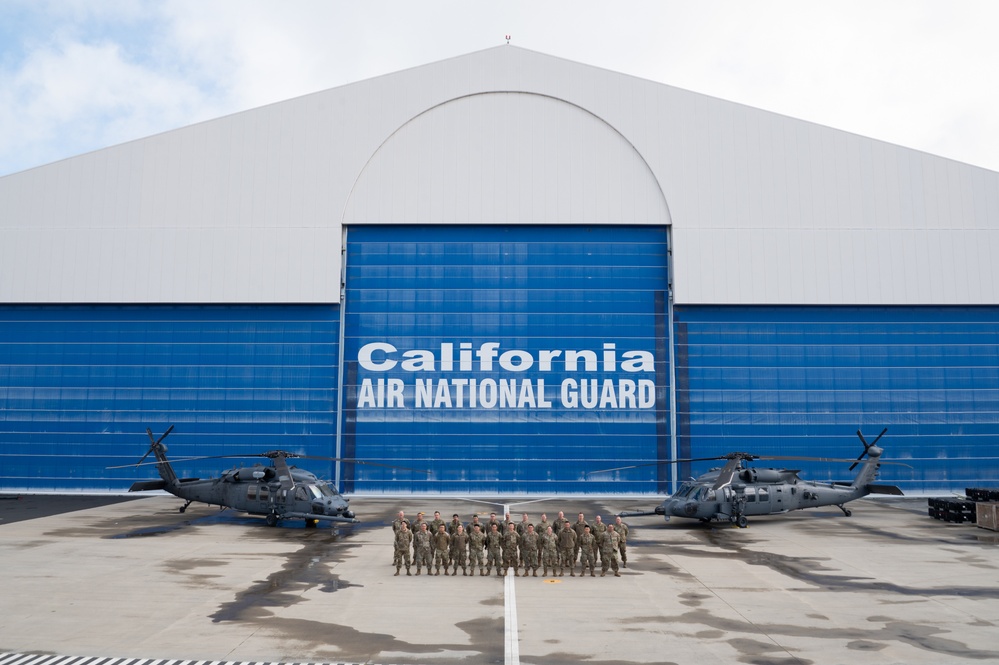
(276, 491)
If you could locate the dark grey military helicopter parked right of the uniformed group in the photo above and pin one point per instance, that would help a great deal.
(736, 492)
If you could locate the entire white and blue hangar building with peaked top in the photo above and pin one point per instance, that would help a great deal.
(510, 270)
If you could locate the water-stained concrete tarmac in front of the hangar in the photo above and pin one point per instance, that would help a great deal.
(139, 579)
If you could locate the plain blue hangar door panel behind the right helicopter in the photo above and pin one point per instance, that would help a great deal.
(802, 380)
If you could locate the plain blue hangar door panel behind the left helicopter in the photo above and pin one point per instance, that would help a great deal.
(80, 384)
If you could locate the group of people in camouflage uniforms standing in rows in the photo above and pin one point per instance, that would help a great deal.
(555, 546)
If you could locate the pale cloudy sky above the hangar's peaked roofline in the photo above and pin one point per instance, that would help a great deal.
(80, 75)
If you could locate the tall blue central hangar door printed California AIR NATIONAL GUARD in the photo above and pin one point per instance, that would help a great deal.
(505, 359)
